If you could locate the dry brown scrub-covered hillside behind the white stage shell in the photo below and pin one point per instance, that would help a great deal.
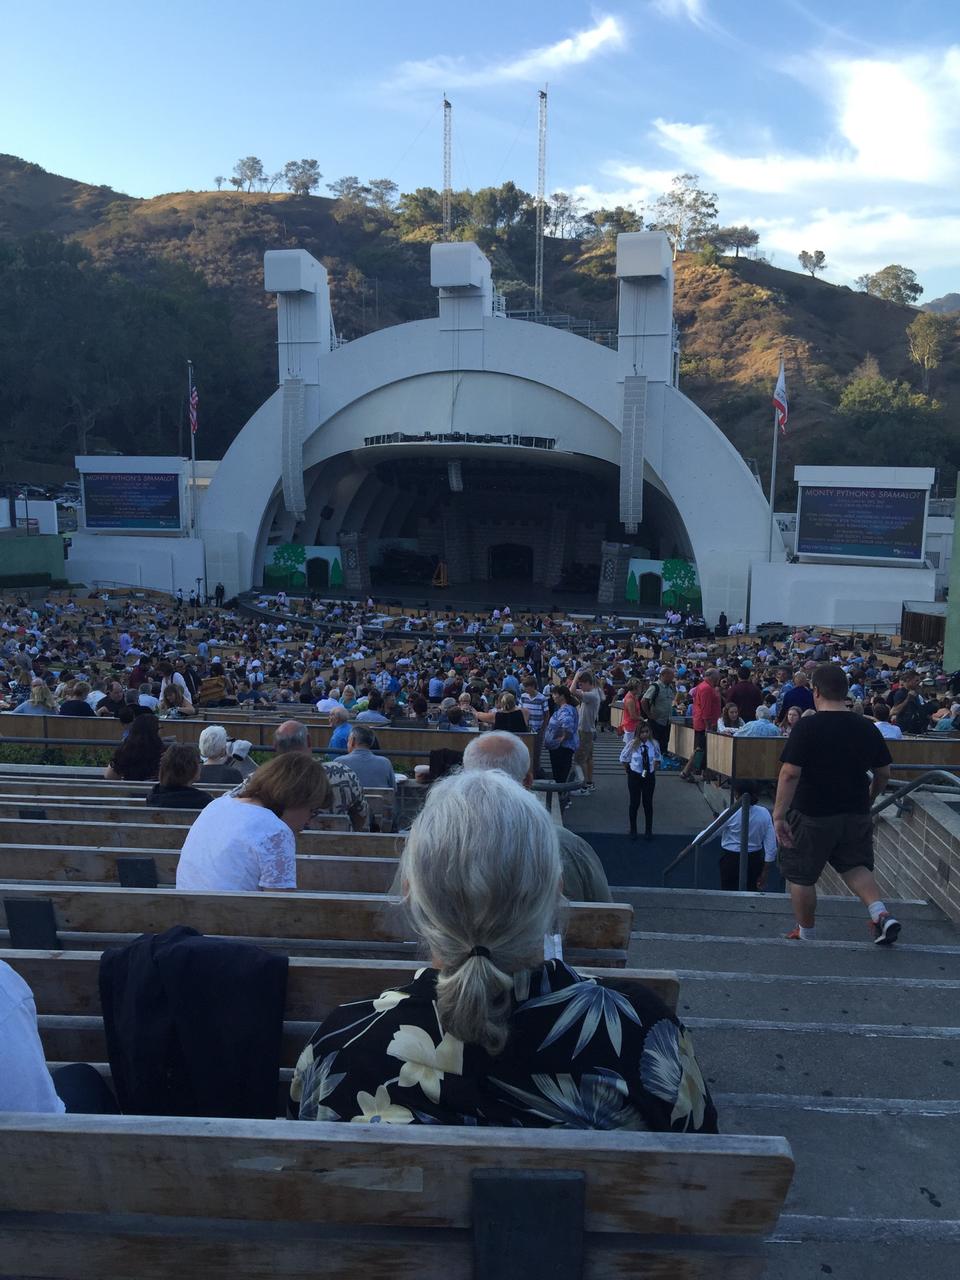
(144, 285)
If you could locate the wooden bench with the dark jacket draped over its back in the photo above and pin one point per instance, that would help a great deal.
(67, 994)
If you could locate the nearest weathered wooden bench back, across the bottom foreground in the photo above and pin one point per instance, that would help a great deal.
(144, 1199)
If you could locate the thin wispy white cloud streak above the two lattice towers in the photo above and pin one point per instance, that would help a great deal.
(538, 65)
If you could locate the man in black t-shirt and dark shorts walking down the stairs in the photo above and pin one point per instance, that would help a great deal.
(822, 813)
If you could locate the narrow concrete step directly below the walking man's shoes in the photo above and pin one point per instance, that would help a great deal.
(723, 954)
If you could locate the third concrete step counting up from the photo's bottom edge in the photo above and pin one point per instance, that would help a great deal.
(848, 1060)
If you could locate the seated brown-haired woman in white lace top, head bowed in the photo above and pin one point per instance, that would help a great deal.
(248, 842)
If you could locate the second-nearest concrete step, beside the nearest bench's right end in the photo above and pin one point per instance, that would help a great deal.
(842, 1158)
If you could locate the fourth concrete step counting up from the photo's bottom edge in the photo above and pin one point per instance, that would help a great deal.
(840, 999)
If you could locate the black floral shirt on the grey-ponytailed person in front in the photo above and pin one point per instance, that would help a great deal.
(579, 1057)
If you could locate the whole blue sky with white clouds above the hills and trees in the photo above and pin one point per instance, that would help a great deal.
(822, 125)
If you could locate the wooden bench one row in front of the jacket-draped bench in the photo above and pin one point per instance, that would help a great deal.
(596, 932)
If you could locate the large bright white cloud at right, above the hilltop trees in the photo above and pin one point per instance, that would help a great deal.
(879, 188)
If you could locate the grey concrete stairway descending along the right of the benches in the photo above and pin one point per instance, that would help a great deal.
(849, 1050)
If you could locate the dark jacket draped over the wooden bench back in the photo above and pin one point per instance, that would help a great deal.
(194, 1026)
